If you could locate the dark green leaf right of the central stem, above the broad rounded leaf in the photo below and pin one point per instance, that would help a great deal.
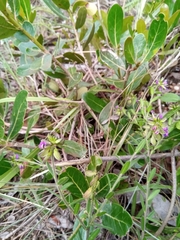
(105, 184)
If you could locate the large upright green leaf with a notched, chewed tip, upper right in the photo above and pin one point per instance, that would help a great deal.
(156, 36)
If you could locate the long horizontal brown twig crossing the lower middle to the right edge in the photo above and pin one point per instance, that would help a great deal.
(114, 158)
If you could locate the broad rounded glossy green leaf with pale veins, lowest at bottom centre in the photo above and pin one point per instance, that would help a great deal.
(116, 219)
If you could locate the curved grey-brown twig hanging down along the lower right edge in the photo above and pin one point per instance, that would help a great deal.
(173, 198)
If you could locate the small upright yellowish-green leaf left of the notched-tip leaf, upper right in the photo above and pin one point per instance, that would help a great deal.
(129, 50)
